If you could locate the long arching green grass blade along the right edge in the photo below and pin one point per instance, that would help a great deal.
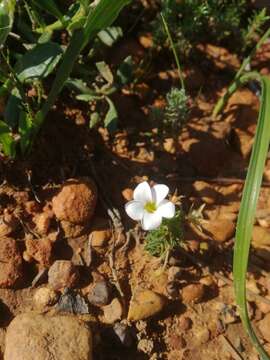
(248, 209)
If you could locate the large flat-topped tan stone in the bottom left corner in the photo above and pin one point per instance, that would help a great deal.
(34, 336)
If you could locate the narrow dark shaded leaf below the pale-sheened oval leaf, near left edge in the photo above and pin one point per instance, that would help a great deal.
(13, 109)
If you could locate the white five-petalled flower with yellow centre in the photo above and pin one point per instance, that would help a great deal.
(150, 206)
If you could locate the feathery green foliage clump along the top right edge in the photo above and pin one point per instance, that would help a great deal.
(223, 19)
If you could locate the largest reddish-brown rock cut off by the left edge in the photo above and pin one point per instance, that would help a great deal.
(10, 263)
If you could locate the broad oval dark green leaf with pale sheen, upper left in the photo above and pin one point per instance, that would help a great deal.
(38, 62)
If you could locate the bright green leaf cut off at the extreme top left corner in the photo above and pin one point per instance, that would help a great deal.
(7, 8)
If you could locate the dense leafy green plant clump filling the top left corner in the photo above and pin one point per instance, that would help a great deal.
(29, 56)
